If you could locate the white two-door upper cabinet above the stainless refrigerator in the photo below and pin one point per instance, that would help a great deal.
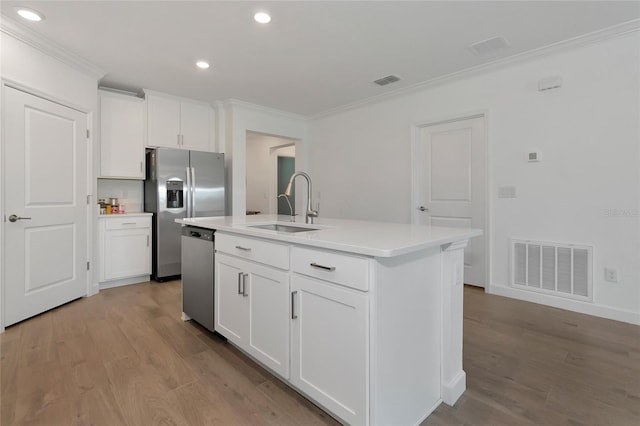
(174, 122)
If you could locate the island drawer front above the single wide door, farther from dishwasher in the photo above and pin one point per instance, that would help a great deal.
(347, 270)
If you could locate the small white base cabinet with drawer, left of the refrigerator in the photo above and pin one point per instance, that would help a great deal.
(124, 249)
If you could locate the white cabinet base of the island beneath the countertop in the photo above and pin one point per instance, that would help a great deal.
(362, 334)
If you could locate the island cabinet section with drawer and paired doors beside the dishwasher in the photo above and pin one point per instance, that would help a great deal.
(252, 299)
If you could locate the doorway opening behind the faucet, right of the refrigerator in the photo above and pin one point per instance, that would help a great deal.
(270, 164)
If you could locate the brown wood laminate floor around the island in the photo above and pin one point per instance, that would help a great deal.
(124, 357)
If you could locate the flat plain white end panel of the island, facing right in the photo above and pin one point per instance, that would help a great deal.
(406, 317)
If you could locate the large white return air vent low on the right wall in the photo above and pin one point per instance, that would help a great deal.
(563, 270)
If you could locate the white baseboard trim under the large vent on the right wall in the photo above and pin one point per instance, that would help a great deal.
(568, 304)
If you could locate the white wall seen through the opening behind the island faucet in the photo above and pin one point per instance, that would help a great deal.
(262, 152)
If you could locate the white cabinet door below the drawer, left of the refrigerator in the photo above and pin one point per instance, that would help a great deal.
(127, 253)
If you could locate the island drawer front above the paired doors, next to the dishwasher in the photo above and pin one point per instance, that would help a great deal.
(269, 253)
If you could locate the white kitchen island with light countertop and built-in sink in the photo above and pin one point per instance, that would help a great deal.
(364, 318)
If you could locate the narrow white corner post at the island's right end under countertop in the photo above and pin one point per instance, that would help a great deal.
(453, 376)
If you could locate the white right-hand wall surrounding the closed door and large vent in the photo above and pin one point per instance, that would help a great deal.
(585, 190)
